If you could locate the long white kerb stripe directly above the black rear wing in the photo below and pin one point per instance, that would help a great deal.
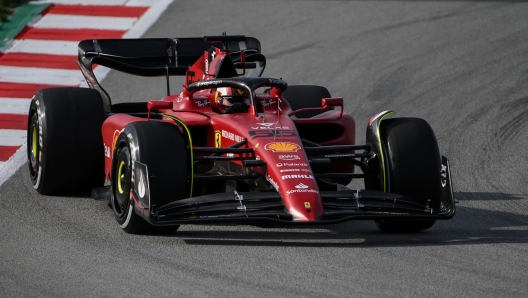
(57, 21)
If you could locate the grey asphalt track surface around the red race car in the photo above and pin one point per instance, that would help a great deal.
(461, 65)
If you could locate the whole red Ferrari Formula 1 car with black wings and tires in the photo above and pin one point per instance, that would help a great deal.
(231, 147)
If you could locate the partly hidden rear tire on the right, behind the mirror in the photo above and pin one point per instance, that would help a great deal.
(306, 96)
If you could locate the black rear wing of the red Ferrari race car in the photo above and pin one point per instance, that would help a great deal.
(149, 57)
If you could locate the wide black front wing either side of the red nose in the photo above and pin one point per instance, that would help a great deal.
(262, 207)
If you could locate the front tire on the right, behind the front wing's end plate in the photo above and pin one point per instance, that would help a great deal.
(414, 165)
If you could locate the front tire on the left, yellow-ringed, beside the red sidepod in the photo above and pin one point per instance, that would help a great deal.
(159, 146)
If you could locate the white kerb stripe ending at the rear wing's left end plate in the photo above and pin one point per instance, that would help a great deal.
(67, 48)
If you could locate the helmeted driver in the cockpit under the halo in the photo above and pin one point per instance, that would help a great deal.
(230, 100)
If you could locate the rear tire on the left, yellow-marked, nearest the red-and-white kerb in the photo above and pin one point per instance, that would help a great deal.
(64, 142)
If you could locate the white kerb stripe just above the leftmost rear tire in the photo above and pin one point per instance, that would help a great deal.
(13, 74)
